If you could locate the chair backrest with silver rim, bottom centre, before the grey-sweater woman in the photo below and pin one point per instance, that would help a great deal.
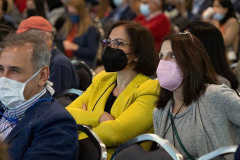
(131, 149)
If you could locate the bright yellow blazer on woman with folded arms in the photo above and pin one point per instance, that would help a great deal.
(132, 109)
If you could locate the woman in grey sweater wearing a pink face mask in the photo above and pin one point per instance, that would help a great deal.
(193, 113)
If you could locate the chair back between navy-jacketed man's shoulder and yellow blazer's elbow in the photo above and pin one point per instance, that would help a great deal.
(66, 97)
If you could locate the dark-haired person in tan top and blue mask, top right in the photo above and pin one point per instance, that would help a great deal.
(224, 18)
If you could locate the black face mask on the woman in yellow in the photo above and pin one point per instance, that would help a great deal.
(114, 59)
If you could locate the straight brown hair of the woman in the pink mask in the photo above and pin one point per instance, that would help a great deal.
(195, 65)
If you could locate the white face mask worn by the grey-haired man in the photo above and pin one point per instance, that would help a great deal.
(11, 91)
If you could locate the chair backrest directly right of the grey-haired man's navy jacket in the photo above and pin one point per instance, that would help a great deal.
(91, 148)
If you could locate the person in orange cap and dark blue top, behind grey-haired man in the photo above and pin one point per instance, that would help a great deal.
(62, 73)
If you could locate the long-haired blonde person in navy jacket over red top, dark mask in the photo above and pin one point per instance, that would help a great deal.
(81, 36)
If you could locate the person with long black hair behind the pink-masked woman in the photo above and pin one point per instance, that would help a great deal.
(212, 40)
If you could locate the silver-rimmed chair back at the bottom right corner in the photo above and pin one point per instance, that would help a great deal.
(218, 153)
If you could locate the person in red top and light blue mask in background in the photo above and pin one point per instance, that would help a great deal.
(153, 18)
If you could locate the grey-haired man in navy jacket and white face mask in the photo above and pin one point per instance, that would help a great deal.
(32, 123)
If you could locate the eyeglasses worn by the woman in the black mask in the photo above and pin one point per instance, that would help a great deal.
(114, 44)
